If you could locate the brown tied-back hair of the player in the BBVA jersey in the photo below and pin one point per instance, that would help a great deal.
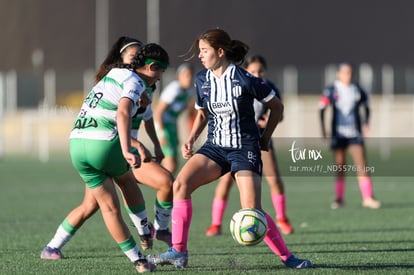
(234, 50)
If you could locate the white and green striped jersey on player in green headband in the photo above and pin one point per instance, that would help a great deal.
(97, 117)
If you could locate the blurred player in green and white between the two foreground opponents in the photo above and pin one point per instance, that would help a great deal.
(173, 101)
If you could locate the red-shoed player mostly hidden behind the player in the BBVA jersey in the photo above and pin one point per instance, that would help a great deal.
(256, 65)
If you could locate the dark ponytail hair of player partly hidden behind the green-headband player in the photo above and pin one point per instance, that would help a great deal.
(114, 56)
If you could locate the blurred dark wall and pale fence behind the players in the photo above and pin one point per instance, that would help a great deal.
(50, 50)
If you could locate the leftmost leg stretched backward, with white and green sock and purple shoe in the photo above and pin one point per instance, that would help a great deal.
(69, 226)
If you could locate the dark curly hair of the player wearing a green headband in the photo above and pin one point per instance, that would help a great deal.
(149, 53)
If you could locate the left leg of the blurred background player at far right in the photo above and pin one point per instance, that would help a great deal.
(340, 161)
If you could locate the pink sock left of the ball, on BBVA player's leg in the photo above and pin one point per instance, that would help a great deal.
(180, 221)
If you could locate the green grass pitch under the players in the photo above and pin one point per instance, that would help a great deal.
(35, 197)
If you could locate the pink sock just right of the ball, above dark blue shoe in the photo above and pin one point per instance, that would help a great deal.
(275, 241)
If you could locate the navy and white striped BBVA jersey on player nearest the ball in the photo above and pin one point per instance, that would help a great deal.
(229, 103)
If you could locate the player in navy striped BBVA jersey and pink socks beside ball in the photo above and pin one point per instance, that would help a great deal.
(224, 100)
